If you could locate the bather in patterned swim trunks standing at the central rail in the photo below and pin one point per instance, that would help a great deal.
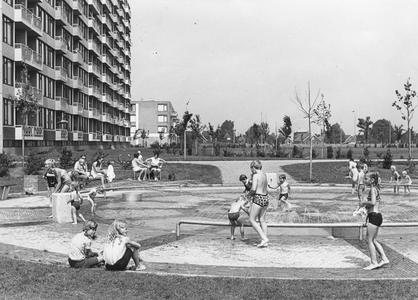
(260, 202)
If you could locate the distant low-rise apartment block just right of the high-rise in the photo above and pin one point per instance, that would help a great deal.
(153, 117)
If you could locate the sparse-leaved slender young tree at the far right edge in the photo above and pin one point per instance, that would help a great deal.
(406, 102)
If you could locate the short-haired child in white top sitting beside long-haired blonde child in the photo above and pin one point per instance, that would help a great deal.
(80, 254)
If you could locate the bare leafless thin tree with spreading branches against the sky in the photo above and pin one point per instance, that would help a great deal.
(306, 106)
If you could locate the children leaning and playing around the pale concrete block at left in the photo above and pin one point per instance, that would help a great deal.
(59, 181)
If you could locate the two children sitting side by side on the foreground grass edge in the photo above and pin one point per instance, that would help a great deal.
(117, 252)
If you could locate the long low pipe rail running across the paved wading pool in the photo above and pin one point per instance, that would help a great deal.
(334, 226)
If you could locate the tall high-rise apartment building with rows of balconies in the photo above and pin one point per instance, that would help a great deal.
(78, 57)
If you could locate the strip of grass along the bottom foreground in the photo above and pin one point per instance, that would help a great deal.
(24, 280)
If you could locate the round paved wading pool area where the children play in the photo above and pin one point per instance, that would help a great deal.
(312, 252)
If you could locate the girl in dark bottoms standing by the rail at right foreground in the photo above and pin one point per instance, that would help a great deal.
(374, 220)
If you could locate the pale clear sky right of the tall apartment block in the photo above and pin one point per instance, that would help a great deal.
(245, 60)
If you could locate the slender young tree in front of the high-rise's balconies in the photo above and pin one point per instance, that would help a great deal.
(25, 103)
